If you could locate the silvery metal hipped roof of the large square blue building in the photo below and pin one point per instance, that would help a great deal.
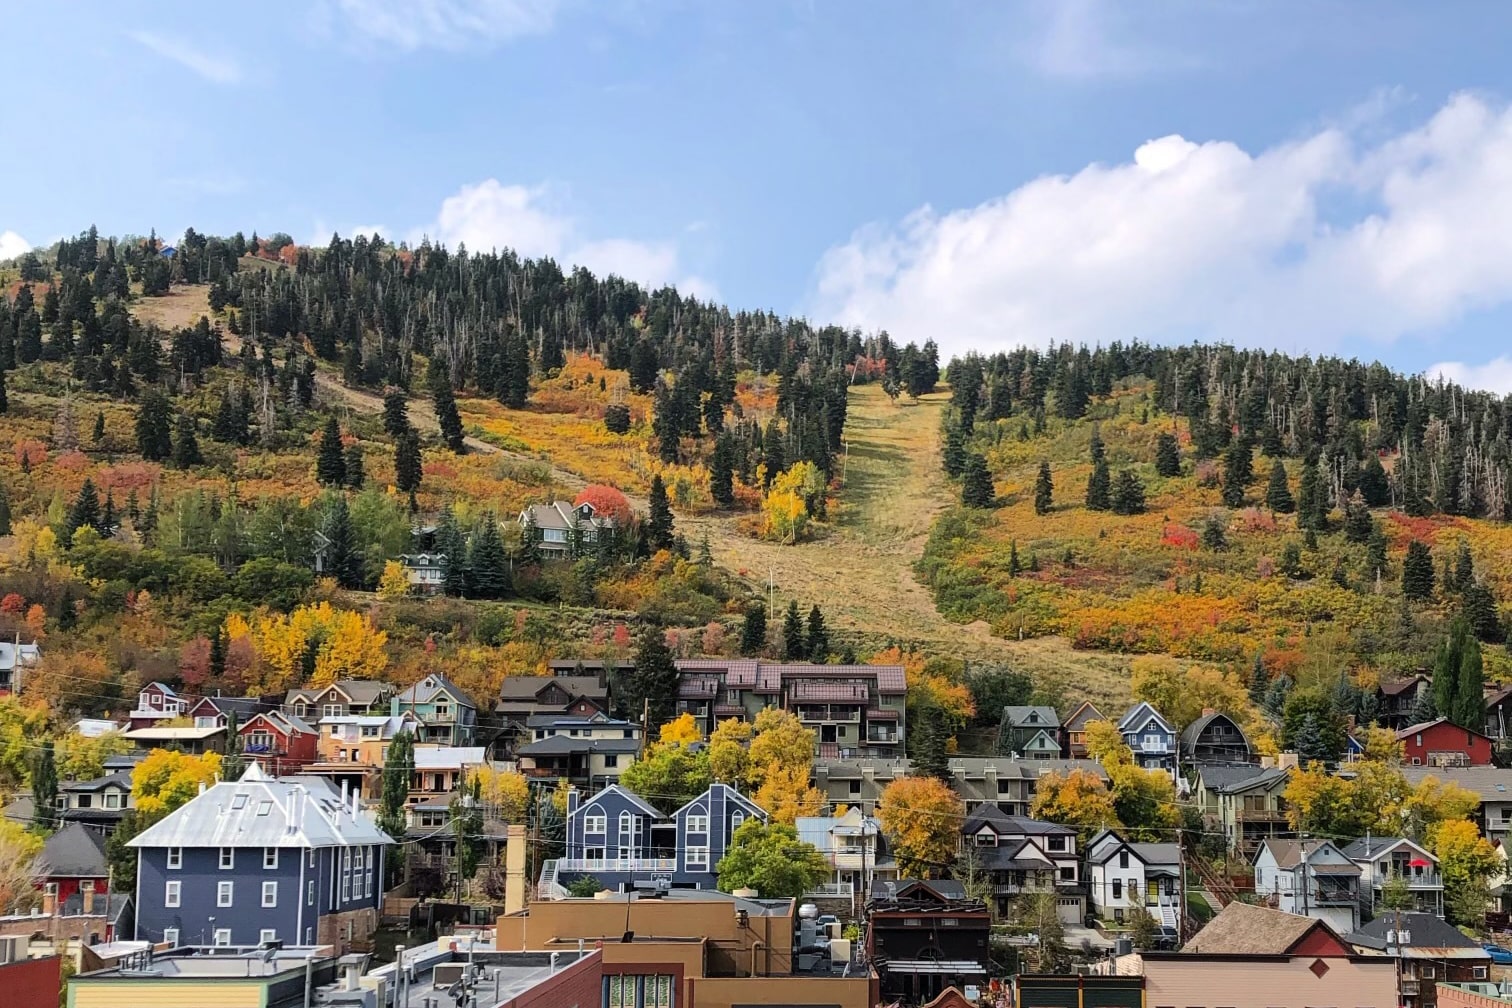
(259, 811)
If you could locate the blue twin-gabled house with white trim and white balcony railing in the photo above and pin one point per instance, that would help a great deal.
(622, 841)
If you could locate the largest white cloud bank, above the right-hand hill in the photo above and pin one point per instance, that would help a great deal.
(1207, 241)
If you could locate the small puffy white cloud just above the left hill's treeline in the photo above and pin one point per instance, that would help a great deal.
(531, 221)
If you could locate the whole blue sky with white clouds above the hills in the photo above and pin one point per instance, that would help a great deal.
(1316, 178)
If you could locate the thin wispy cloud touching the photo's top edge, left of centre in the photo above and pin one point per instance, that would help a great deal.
(450, 25)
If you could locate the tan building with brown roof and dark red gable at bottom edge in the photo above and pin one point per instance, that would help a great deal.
(1251, 957)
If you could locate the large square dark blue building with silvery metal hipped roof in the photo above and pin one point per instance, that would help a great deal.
(261, 861)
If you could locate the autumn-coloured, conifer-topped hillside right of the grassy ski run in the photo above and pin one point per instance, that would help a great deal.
(1274, 534)
